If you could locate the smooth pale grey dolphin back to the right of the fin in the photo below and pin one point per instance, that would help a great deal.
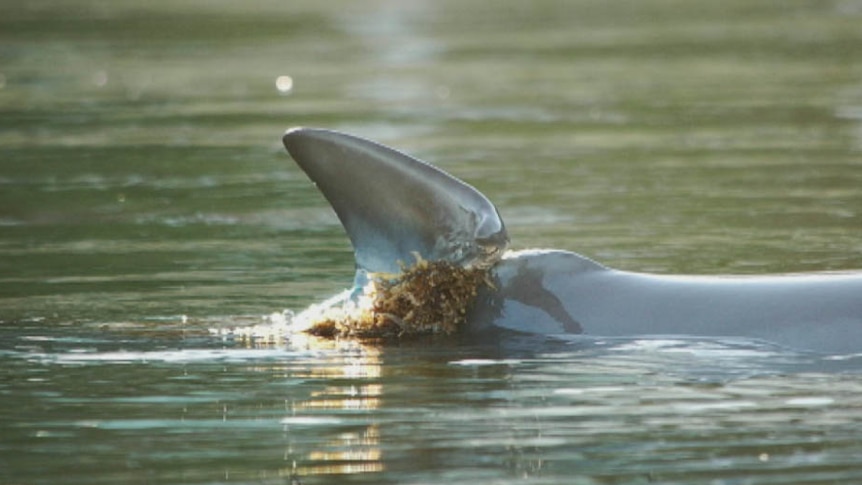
(559, 292)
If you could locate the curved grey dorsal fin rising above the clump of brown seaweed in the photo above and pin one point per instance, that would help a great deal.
(394, 206)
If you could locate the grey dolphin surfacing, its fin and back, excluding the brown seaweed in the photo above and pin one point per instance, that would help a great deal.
(393, 205)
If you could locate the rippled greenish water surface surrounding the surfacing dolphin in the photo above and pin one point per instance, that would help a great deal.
(145, 198)
